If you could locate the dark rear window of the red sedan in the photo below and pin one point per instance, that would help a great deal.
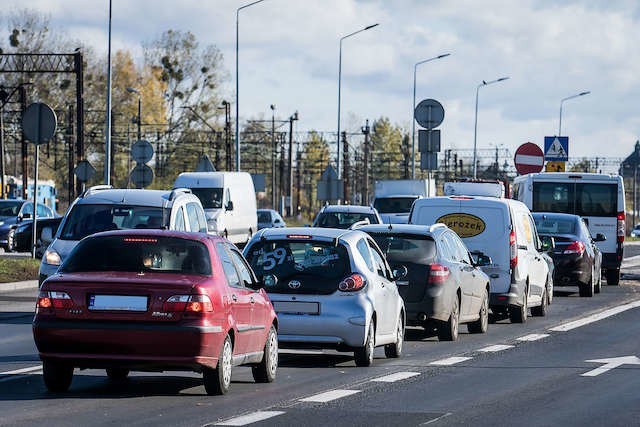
(139, 254)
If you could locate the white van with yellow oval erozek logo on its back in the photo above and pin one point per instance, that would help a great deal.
(504, 230)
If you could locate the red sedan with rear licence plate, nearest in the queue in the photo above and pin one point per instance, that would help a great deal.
(155, 300)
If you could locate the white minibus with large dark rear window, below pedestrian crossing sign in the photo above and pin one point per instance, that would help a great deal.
(598, 198)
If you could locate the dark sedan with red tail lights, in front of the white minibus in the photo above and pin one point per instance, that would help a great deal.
(576, 258)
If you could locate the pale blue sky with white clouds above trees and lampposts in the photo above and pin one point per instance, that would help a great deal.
(289, 55)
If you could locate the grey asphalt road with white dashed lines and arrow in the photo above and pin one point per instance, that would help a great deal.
(531, 374)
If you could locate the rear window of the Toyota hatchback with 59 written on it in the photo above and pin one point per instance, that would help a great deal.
(317, 266)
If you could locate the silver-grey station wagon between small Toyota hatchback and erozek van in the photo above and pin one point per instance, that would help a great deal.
(444, 286)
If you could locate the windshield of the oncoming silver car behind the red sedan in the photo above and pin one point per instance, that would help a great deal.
(84, 220)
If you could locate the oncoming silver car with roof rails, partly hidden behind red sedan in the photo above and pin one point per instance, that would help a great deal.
(102, 208)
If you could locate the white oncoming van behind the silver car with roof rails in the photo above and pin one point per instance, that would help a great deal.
(229, 201)
